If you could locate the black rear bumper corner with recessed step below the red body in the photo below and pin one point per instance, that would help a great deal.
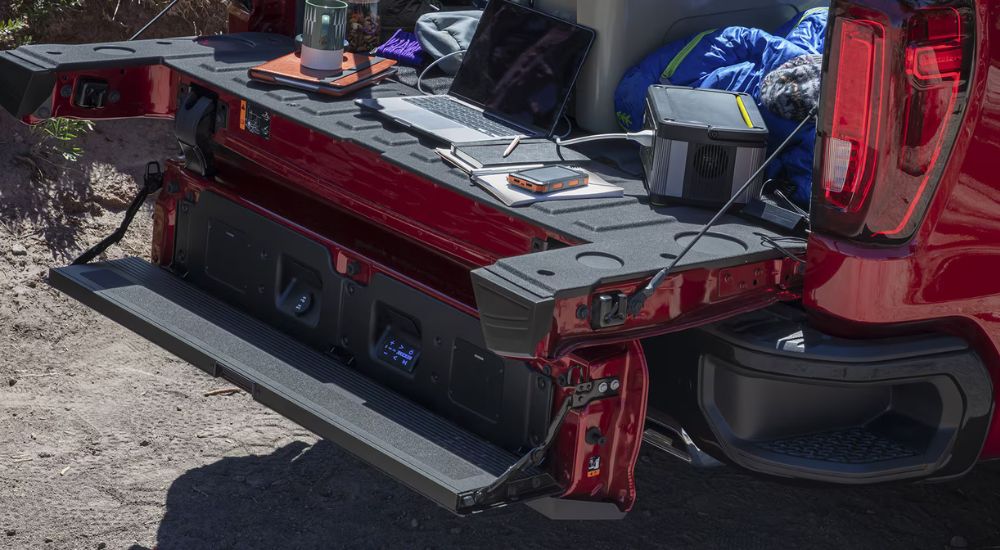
(773, 395)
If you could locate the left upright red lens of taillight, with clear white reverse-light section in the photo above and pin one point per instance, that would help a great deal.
(854, 128)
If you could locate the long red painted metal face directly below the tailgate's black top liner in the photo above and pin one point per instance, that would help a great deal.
(359, 179)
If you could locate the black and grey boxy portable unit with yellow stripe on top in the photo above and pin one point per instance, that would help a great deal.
(707, 144)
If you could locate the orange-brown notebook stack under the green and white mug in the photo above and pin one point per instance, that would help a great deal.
(359, 70)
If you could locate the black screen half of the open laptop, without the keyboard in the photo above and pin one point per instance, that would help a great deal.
(522, 64)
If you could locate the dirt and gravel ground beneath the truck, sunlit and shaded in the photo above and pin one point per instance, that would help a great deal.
(111, 442)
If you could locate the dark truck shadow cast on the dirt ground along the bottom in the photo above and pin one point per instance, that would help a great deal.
(318, 496)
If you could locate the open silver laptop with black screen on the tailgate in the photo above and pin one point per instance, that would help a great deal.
(515, 80)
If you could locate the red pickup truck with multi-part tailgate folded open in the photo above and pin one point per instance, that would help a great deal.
(331, 265)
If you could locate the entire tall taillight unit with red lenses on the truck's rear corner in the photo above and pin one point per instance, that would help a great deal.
(893, 94)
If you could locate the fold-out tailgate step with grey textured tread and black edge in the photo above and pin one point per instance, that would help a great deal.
(427, 453)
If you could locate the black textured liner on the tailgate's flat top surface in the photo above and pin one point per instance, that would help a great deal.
(639, 239)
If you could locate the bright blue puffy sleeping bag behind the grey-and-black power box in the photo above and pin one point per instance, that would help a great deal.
(735, 59)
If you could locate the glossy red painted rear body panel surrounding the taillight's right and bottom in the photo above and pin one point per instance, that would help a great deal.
(945, 277)
